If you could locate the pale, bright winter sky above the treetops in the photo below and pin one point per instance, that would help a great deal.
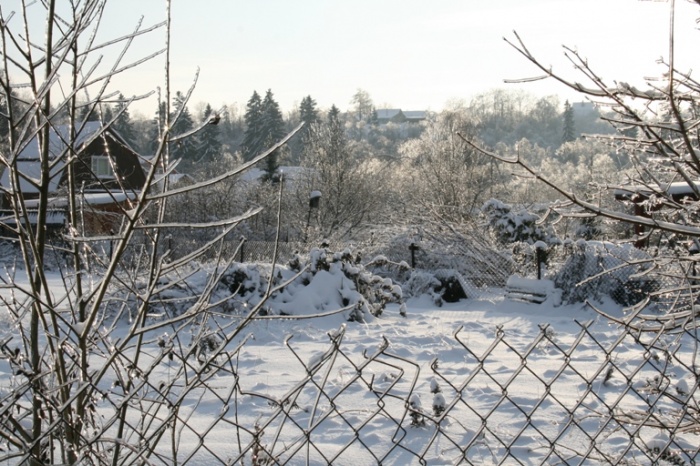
(410, 54)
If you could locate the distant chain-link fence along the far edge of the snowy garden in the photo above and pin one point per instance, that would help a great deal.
(582, 270)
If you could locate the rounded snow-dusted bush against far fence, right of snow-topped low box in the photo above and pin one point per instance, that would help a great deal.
(596, 269)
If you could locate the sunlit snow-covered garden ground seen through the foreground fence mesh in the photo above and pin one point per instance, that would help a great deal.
(518, 383)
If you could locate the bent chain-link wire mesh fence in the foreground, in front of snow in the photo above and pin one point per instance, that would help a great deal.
(634, 401)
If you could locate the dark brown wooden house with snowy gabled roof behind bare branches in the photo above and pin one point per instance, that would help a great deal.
(108, 175)
